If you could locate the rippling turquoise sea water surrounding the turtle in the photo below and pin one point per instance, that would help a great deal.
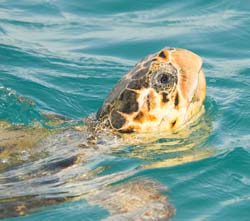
(65, 56)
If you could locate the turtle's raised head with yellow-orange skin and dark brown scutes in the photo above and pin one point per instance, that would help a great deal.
(161, 93)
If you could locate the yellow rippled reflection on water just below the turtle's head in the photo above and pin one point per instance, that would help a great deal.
(182, 146)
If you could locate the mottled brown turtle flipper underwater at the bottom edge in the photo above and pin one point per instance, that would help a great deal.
(135, 200)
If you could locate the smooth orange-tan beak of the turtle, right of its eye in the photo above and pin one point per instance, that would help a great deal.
(191, 77)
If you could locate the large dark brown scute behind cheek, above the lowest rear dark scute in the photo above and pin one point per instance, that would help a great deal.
(127, 102)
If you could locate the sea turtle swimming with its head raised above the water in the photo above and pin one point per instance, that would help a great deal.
(160, 96)
